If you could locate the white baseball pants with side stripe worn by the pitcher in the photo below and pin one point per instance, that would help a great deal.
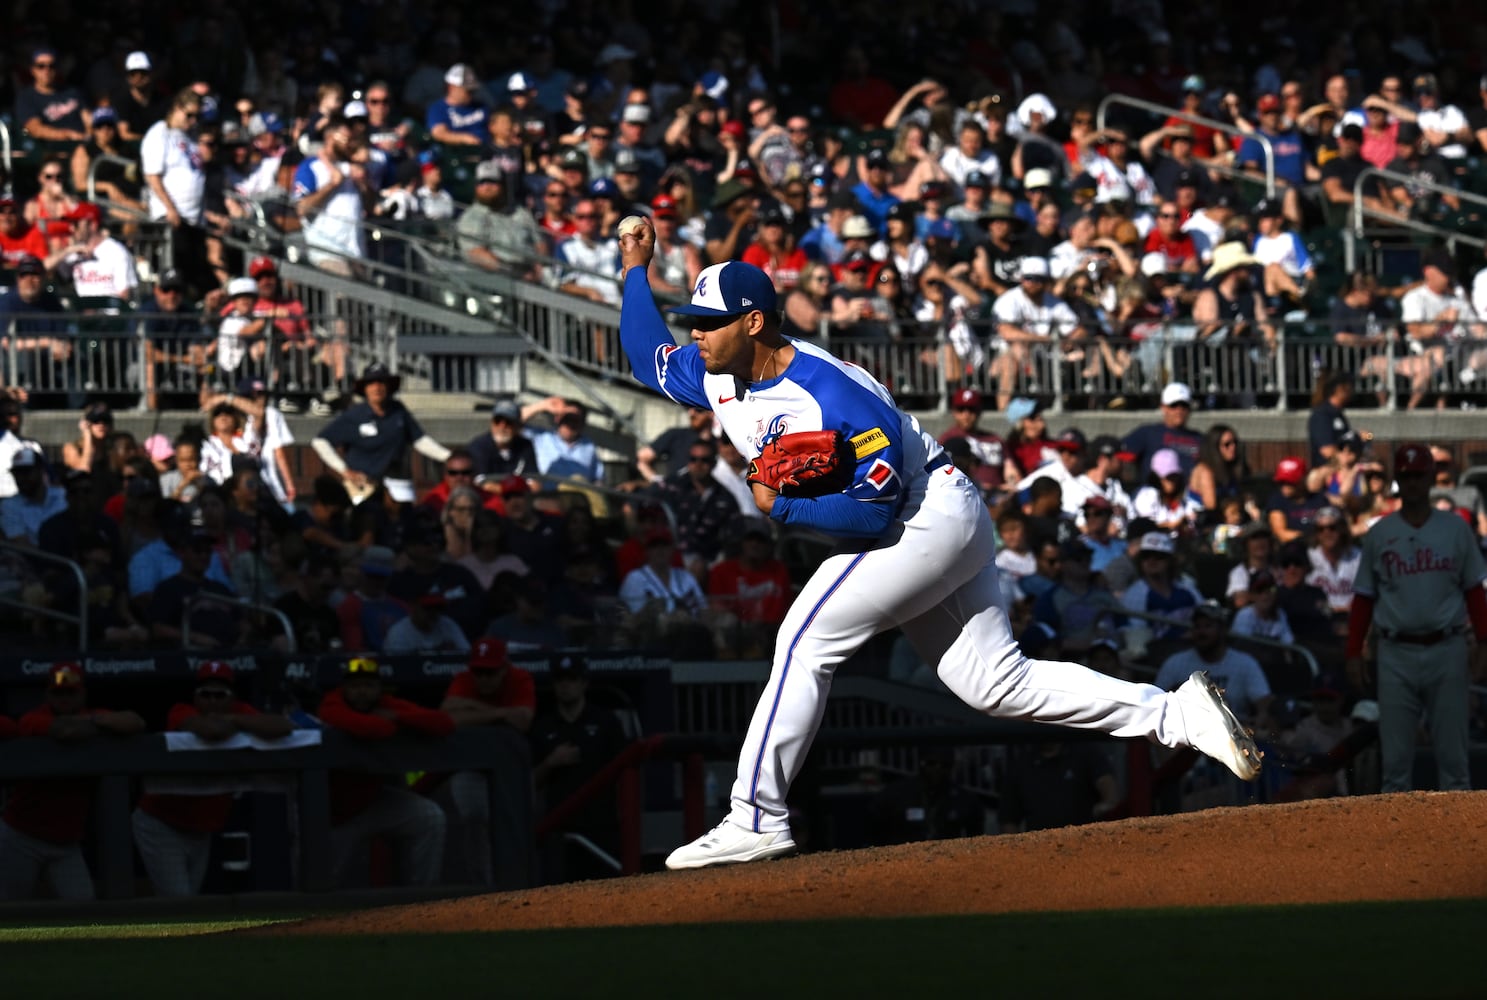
(936, 577)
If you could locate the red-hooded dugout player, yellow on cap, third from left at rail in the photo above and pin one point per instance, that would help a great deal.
(367, 806)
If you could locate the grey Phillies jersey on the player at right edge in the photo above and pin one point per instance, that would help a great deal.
(1422, 572)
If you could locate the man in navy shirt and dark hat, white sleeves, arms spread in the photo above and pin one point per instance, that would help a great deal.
(371, 440)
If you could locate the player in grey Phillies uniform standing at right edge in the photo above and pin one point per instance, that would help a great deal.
(1419, 580)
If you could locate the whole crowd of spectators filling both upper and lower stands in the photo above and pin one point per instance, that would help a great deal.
(979, 208)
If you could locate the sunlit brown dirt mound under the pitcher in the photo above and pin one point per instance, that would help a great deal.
(1415, 846)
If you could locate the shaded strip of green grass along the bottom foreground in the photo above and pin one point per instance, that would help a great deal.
(1379, 950)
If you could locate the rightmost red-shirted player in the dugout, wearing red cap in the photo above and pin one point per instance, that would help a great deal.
(493, 693)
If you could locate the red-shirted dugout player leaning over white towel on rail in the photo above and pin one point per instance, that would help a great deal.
(175, 831)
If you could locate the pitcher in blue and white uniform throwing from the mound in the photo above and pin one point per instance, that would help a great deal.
(915, 551)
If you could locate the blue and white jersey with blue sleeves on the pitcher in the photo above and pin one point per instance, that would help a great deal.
(816, 392)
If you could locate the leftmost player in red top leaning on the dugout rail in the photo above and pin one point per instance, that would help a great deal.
(45, 819)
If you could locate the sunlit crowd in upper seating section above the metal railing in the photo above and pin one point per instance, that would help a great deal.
(984, 206)
